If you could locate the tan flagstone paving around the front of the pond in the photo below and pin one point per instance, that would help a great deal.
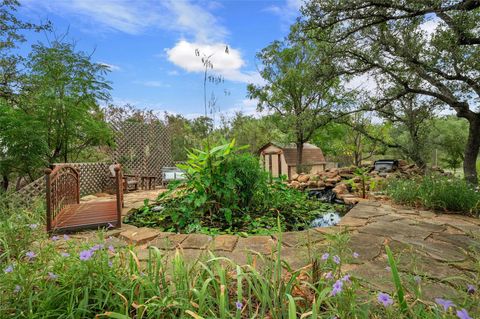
(436, 247)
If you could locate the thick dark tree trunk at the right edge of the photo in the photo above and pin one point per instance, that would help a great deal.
(472, 149)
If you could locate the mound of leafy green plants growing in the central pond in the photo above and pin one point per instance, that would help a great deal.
(227, 191)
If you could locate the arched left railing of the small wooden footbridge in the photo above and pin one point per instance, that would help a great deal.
(62, 188)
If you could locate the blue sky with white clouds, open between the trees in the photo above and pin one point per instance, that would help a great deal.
(150, 45)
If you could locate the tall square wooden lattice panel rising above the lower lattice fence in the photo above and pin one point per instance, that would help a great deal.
(142, 149)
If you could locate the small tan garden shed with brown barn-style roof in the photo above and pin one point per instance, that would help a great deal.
(281, 159)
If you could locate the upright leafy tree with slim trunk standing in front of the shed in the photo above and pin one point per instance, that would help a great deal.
(299, 87)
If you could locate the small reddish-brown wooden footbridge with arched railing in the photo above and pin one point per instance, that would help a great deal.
(64, 210)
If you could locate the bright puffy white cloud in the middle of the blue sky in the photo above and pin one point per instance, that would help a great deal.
(228, 65)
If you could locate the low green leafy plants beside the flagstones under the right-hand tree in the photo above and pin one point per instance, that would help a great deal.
(435, 192)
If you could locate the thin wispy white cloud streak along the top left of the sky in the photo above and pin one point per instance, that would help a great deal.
(134, 17)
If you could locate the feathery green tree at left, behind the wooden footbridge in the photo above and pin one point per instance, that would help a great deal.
(56, 115)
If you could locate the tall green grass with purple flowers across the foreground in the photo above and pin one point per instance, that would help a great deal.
(113, 283)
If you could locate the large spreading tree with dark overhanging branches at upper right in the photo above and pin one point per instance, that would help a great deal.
(429, 48)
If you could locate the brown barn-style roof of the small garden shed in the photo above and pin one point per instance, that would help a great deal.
(312, 155)
